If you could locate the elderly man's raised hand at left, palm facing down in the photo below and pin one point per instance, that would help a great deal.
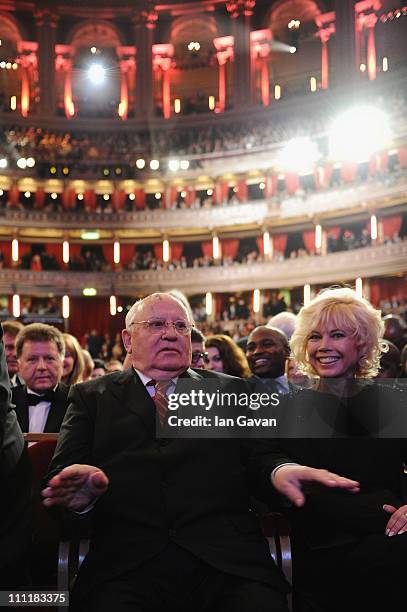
(75, 487)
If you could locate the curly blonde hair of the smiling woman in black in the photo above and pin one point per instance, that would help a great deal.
(342, 308)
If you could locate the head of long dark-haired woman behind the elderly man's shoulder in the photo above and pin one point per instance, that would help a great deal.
(225, 356)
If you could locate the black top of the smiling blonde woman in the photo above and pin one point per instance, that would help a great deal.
(346, 440)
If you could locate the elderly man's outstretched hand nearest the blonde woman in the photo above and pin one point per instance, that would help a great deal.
(287, 480)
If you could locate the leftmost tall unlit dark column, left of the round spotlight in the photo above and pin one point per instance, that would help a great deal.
(46, 21)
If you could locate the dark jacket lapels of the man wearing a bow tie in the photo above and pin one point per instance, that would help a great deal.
(56, 413)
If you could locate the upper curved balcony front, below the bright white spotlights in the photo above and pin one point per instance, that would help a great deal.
(370, 194)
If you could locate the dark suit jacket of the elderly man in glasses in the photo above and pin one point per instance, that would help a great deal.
(192, 492)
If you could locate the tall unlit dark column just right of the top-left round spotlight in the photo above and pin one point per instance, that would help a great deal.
(144, 22)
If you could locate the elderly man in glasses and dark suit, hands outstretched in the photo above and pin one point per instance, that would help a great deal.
(172, 527)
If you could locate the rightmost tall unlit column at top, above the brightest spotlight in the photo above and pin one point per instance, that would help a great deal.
(344, 60)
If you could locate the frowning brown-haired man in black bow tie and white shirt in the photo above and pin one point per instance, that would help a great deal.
(41, 403)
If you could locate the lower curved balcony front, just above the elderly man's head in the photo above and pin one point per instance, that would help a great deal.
(335, 267)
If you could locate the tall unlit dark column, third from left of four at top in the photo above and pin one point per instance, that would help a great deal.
(241, 12)
